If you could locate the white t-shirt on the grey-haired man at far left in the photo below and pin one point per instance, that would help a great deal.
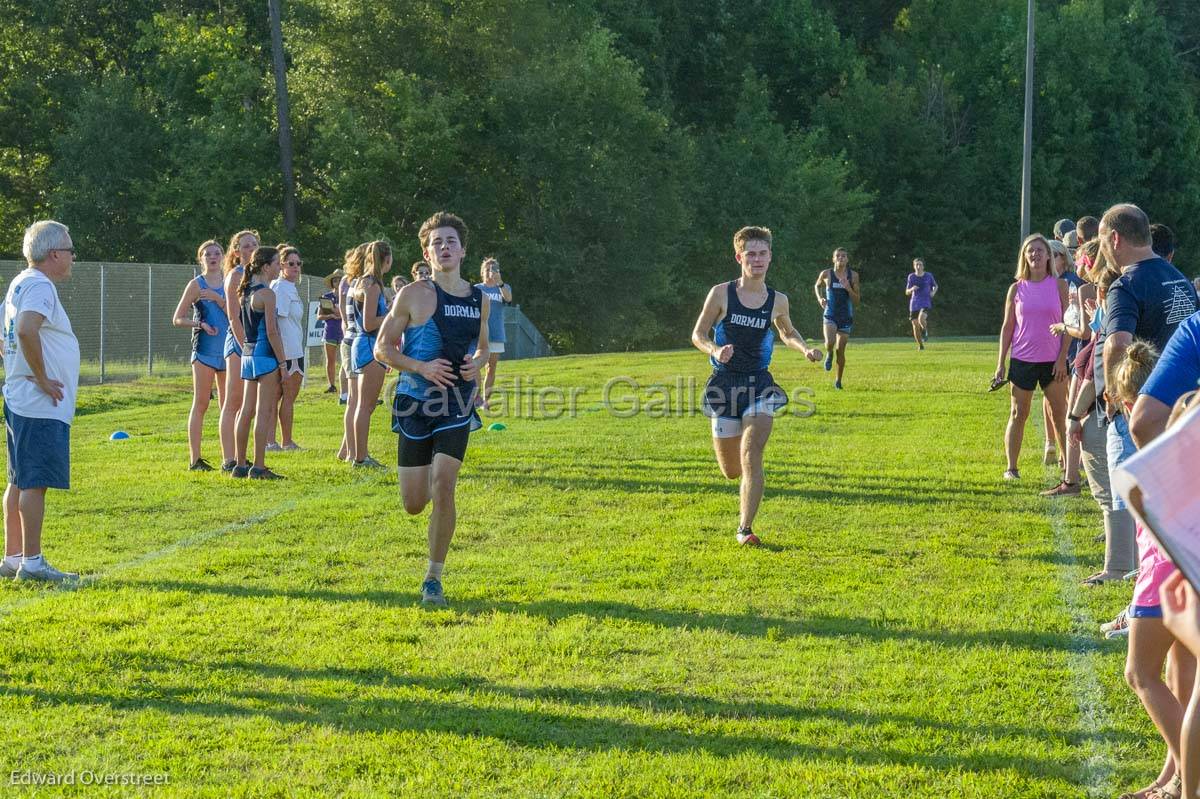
(33, 291)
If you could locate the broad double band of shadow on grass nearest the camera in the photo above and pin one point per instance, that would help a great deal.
(469, 708)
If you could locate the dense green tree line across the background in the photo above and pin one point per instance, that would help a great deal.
(605, 151)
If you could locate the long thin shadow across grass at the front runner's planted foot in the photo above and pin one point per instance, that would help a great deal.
(759, 627)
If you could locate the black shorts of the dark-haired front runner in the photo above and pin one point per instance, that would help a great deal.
(442, 424)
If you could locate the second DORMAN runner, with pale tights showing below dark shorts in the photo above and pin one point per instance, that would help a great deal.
(741, 397)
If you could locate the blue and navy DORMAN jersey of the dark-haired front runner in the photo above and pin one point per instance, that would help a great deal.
(452, 333)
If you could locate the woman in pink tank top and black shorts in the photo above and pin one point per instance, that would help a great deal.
(1036, 356)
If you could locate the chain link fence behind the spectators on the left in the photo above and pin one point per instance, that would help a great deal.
(122, 315)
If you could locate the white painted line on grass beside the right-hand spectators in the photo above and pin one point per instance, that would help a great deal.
(1097, 771)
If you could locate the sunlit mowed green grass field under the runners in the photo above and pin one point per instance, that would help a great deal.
(914, 629)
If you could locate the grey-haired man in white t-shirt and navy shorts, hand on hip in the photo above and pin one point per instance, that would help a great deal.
(43, 380)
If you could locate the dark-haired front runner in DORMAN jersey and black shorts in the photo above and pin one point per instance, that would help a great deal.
(443, 325)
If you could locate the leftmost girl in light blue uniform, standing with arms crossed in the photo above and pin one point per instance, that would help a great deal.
(202, 310)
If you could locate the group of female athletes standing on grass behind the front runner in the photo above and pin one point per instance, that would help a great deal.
(249, 325)
